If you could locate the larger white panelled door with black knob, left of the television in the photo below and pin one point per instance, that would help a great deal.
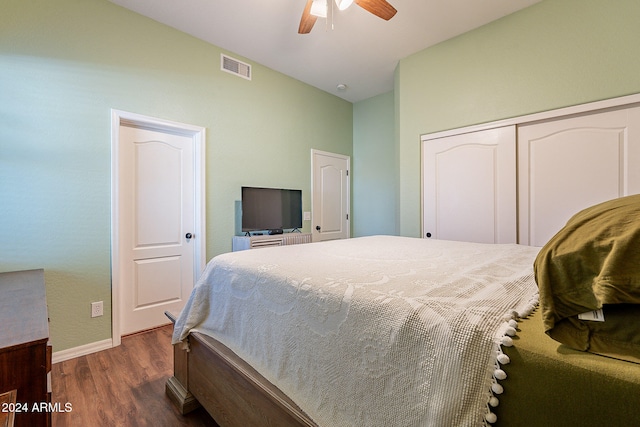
(159, 223)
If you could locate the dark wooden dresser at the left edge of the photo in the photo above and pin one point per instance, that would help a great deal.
(25, 357)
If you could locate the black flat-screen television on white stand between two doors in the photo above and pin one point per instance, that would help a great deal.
(271, 209)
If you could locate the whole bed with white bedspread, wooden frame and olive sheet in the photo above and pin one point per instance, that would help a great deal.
(384, 330)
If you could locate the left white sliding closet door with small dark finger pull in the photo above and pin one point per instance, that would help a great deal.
(469, 187)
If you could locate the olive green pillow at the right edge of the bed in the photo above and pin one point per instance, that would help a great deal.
(593, 263)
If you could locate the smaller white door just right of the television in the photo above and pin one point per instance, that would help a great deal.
(330, 196)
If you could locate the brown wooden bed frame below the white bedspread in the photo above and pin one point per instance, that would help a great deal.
(232, 392)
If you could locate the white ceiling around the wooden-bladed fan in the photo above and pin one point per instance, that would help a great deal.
(355, 48)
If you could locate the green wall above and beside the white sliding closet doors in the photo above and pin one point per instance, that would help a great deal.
(553, 54)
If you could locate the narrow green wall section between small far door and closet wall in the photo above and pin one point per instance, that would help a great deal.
(374, 167)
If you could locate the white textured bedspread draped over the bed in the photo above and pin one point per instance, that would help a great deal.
(371, 331)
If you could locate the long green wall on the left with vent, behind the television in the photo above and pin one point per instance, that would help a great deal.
(64, 65)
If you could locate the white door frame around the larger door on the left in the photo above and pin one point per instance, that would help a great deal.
(198, 137)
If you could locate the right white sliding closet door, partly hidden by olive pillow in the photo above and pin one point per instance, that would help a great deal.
(568, 164)
